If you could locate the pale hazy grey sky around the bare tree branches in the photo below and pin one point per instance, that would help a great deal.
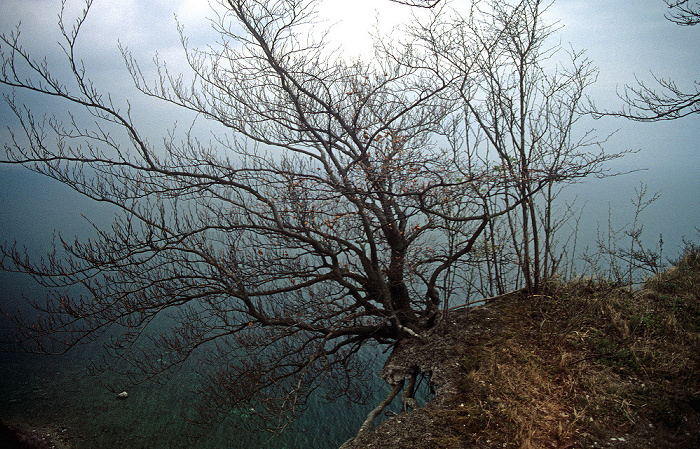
(624, 38)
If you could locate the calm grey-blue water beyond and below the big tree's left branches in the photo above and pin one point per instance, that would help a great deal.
(58, 392)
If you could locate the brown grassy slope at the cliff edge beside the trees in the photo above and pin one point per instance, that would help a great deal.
(588, 365)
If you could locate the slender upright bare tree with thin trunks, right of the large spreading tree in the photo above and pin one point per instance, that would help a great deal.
(518, 114)
